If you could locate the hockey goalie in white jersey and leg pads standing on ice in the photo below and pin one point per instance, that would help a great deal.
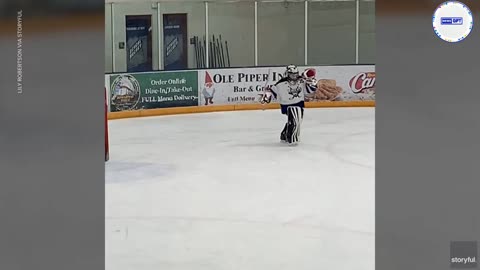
(290, 92)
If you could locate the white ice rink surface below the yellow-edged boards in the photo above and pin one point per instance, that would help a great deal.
(218, 191)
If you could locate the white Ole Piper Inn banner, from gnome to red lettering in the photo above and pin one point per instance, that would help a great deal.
(245, 85)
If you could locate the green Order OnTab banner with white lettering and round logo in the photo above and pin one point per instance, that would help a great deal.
(153, 90)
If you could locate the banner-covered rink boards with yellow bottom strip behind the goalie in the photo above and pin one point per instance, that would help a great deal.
(190, 91)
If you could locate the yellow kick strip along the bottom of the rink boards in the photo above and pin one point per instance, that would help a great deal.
(240, 107)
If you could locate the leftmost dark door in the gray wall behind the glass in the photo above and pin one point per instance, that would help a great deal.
(139, 43)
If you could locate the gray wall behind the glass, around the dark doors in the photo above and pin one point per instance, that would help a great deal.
(331, 27)
